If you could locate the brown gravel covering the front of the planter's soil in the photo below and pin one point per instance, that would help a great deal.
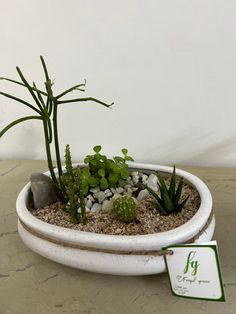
(149, 220)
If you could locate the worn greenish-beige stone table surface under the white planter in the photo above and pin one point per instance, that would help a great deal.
(31, 284)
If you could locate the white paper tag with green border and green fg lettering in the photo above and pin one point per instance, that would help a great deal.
(194, 271)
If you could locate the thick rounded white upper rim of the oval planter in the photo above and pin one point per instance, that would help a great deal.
(134, 242)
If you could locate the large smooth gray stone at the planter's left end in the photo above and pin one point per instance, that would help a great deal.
(43, 190)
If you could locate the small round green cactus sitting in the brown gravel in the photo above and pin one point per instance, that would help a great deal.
(125, 208)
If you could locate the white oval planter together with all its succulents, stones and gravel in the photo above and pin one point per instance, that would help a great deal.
(91, 194)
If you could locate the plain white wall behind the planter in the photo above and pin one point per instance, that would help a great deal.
(169, 66)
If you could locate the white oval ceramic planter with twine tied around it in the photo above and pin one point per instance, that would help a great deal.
(45, 237)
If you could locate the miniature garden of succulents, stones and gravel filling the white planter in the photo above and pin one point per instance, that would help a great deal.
(102, 194)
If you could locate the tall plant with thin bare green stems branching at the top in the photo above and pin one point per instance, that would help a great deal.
(46, 106)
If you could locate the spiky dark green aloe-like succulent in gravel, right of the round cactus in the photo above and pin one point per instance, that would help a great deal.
(169, 200)
